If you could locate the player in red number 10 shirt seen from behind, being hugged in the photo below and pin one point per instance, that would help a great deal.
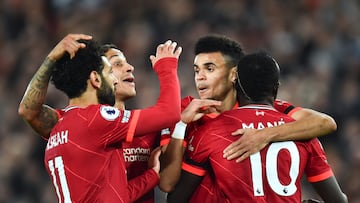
(271, 175)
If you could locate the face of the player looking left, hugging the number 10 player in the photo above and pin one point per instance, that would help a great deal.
(213, 79)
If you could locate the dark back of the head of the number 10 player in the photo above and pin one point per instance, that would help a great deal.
(258, 77)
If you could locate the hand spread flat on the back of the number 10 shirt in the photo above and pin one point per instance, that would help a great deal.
(250, 142)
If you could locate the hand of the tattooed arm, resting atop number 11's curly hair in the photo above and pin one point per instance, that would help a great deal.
(68, 44)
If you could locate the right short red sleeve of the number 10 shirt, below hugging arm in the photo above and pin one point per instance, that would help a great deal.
(317, 168)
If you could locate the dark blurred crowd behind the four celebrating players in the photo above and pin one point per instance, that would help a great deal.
(317, 44)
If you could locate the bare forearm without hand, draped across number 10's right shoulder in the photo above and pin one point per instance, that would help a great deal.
(309, 127)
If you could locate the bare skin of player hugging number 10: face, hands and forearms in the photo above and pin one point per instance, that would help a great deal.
(215, 82)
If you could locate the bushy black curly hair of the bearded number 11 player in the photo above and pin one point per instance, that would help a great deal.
(71, 75)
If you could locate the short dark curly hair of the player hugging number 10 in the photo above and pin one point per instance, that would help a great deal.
(229, 48)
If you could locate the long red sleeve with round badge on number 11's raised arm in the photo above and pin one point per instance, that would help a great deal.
(139, 122)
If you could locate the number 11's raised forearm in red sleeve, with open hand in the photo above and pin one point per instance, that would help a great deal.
(166, 111)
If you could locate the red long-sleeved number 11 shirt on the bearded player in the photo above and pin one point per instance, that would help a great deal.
(84, 147)
